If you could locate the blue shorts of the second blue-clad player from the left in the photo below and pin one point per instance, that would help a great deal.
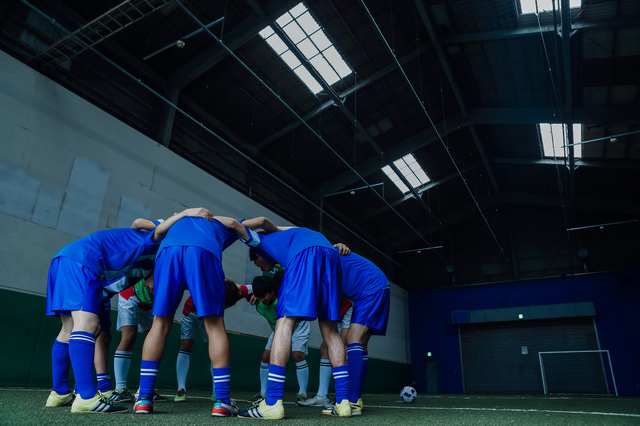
(192, 267)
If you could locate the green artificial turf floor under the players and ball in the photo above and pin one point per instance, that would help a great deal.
(25, 406)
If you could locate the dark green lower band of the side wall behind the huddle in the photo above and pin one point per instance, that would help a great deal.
(28, 334)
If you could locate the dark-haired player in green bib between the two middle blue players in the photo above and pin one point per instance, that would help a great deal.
(265, 299)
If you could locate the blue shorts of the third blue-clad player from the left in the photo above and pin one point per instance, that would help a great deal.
(310, 286)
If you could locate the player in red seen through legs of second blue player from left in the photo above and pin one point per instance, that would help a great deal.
(189, 325)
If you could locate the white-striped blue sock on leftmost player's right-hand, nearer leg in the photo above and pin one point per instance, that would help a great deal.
(82, 349)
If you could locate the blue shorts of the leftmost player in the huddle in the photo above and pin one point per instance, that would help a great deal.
(72, 286)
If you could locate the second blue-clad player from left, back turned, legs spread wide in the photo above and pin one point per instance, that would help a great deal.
(191, 256)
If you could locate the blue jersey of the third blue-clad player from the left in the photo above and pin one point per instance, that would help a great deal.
(280, 247)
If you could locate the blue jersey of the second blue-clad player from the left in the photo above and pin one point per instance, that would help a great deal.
(213, 236)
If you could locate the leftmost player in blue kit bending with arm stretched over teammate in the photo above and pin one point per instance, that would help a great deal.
(78, 275)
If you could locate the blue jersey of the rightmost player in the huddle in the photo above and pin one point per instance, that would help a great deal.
(360, 276)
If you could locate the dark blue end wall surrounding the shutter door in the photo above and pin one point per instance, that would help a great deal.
(616, 297)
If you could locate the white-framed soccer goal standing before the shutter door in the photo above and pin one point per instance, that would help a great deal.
(576, 372)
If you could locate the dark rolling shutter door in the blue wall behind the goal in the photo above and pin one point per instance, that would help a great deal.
(493, 359)
